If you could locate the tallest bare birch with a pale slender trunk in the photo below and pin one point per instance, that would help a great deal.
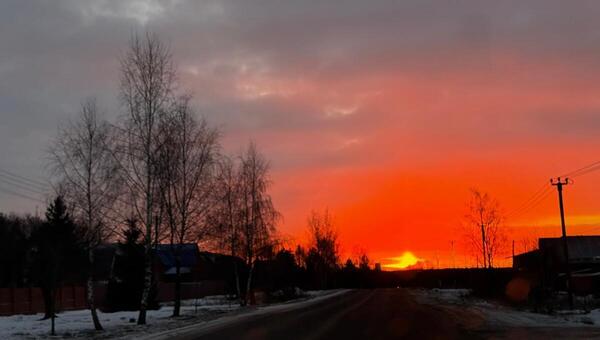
(147, 86)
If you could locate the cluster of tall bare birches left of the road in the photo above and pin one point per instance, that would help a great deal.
(159, 165)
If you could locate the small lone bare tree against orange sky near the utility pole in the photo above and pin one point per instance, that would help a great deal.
(484, 230)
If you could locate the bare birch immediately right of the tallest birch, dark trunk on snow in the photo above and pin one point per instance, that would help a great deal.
(186, 167)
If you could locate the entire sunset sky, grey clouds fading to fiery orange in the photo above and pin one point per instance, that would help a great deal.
(384, 112)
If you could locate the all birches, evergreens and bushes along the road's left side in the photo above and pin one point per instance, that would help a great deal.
(160, 167)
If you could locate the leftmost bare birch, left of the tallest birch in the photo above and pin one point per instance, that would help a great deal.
(82, 162)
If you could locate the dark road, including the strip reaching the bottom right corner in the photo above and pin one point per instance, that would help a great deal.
(370, 314)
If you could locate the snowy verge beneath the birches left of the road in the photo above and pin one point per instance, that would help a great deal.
(77, 324)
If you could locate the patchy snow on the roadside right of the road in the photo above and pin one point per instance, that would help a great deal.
(496, 315)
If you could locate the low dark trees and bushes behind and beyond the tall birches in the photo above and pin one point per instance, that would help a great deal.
(53, 251)
